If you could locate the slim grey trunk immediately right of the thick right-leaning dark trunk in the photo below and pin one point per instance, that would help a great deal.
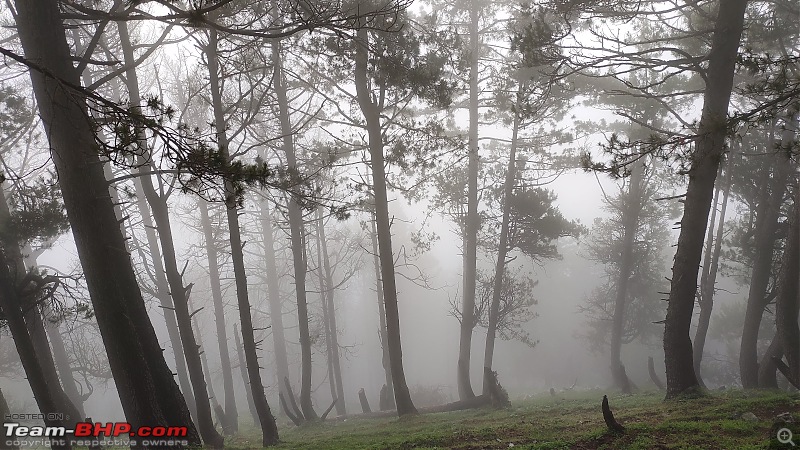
(709, 278)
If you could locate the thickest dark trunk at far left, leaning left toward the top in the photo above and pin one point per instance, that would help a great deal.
(146, 387)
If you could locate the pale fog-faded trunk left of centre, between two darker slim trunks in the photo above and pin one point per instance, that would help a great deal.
(275, 303)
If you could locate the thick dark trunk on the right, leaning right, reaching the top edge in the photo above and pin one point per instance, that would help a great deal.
(705, 161)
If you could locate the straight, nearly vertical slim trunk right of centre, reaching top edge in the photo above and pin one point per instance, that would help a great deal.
(472, 224)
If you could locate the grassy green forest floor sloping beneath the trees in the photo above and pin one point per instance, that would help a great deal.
(731, 419)
